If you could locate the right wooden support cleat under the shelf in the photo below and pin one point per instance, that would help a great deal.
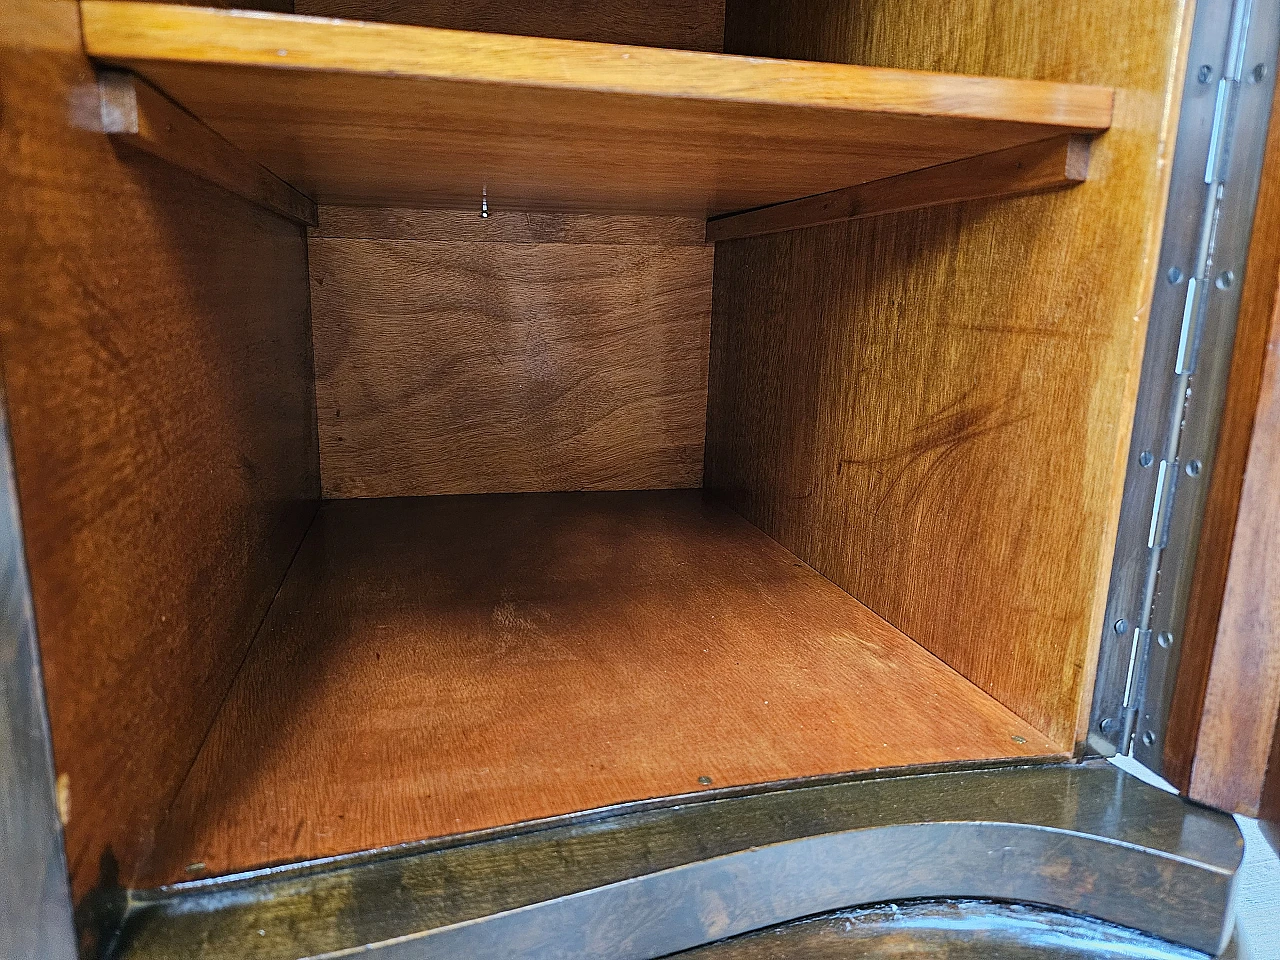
(1062, 162)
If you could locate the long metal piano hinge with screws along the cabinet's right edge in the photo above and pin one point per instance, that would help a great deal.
(1149, 587)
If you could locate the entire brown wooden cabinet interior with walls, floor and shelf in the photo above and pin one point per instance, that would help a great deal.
(930, 410)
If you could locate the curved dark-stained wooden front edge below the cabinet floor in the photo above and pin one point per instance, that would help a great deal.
(1080, 838)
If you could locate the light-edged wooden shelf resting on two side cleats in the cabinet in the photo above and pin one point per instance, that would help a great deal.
(383, 115)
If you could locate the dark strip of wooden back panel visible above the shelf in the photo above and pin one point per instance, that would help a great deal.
(669, 24)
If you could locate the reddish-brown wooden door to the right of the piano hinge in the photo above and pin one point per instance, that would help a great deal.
(1247, 409)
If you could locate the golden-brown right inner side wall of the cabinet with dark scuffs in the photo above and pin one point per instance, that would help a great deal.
(934, 409)
